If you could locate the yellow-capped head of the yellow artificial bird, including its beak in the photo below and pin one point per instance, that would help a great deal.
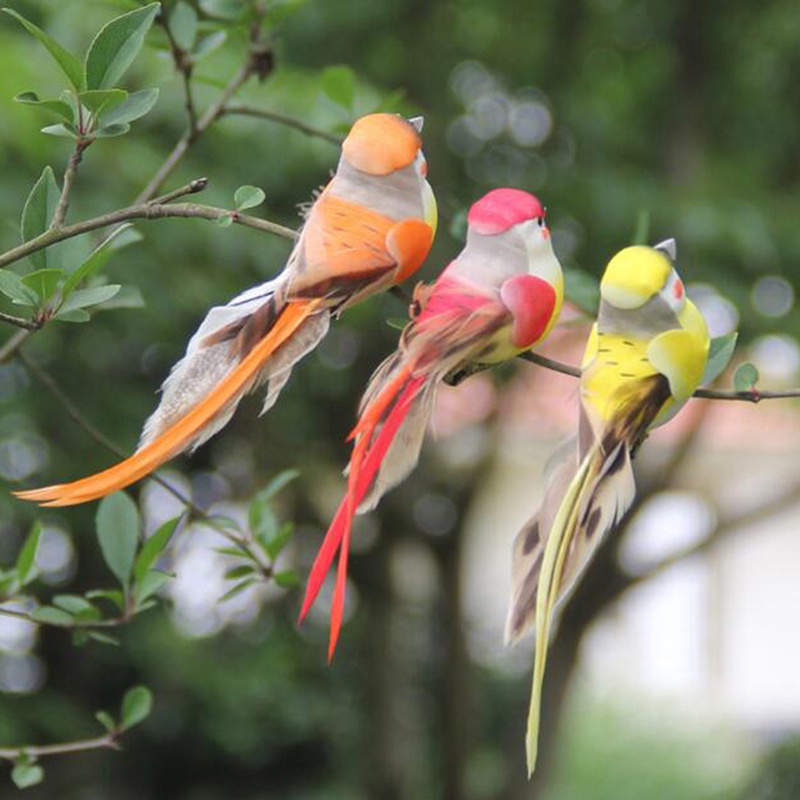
(635, 275)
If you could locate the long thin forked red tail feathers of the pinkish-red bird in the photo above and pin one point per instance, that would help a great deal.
(364, 466)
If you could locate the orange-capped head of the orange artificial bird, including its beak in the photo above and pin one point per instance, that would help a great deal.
(380, 144)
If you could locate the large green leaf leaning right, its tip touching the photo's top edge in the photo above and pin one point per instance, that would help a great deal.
(116, 46)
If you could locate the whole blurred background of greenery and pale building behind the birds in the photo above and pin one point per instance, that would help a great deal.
(674, 674)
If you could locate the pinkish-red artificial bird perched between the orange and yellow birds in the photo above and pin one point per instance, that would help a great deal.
(498, 298)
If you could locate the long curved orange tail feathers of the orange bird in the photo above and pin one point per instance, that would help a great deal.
(178, 436)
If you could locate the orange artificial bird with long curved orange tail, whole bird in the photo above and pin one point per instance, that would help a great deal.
(369, 228)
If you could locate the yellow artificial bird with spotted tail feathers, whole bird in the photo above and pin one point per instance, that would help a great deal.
(645, 356)
